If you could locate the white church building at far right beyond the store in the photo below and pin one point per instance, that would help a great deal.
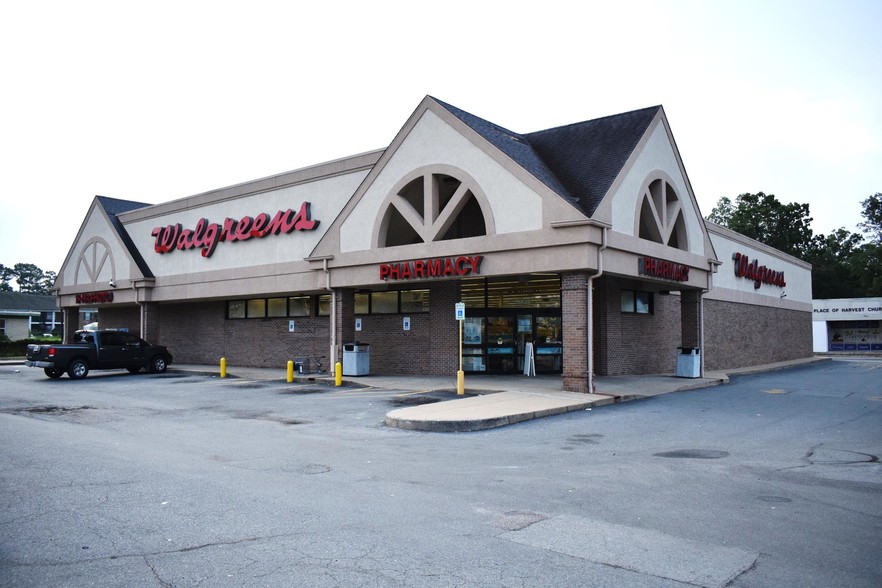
(847, 324)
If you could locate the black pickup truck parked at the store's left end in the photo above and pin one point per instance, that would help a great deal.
(98, 350)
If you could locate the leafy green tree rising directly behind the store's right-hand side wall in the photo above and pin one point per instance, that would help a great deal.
(760, 216)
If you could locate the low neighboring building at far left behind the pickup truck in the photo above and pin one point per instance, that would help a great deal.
(23, 315)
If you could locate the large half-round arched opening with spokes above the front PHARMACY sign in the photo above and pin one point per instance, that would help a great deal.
(432, 206)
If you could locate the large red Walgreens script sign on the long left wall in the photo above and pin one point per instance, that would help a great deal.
(207, 235)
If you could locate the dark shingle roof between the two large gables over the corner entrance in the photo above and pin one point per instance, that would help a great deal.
(580, 161)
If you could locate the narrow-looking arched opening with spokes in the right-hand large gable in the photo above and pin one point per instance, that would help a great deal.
(661, 216)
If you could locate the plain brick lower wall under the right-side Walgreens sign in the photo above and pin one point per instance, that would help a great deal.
(739, 335)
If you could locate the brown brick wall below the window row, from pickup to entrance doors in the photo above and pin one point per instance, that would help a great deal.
(199, 333)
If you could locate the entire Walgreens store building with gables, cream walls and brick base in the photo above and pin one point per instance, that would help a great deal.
(583, 241)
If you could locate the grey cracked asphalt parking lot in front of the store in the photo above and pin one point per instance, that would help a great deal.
(185, 479)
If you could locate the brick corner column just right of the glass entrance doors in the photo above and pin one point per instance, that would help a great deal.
(574, 311)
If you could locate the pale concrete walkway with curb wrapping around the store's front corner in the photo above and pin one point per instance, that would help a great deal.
(494, 401)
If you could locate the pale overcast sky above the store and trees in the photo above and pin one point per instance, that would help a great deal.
(155, 101)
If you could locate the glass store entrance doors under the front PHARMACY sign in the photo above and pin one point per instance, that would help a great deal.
(503, 340)
